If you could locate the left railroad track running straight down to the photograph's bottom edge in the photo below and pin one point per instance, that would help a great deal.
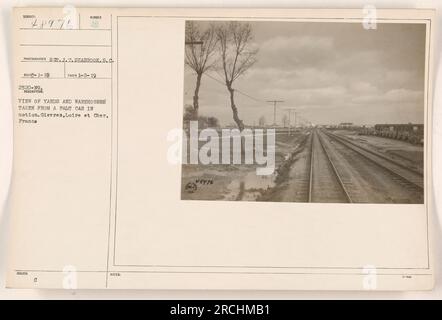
(325, 181)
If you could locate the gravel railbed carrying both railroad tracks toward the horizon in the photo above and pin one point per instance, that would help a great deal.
(336, 168)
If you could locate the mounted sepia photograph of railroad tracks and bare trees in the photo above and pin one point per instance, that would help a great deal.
(290, 111)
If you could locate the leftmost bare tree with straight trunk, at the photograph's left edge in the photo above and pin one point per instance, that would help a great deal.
(200, 54)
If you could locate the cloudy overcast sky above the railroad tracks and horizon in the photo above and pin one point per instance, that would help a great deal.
(330, 72)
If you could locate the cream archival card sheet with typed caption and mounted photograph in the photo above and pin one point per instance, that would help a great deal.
(256, 149)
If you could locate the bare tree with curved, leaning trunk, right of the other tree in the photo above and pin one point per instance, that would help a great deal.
(237, 56)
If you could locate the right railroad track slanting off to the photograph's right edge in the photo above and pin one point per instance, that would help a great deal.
(404, 175)
